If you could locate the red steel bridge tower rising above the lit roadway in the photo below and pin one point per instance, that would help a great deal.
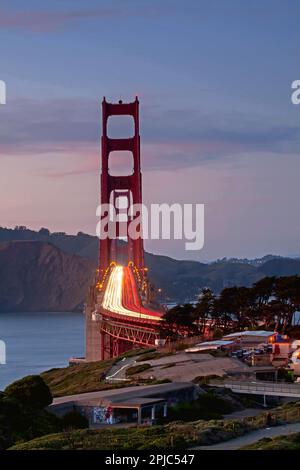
(114, 186)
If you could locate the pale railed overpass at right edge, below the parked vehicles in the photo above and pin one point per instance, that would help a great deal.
(260, 388)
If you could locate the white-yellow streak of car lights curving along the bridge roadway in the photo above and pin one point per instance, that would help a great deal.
(113, 299)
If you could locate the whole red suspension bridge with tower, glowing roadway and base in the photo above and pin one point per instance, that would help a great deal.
(121, 312)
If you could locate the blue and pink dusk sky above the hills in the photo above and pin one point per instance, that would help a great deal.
(217, 123)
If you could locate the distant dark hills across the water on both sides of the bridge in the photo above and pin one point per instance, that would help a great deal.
(47, 272)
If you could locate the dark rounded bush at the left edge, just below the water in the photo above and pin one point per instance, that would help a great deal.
(30, 391)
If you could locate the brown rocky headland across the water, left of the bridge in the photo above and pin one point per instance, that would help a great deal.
(36, 276)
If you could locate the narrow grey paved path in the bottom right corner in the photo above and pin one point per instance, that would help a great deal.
(252, 437)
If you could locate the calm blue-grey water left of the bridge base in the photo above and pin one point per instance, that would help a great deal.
(36, 342)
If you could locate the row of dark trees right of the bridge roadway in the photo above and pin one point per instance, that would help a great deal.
(270, 303)
